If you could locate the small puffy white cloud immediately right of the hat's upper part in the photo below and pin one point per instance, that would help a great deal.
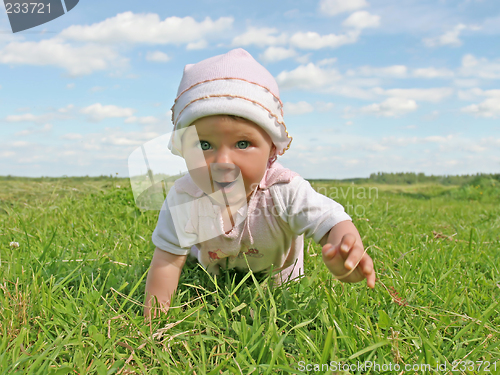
(307, 77)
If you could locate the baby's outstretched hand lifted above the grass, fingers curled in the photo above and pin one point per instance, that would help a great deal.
(348, 261)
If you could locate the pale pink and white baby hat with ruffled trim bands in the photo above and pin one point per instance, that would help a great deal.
(230, 84)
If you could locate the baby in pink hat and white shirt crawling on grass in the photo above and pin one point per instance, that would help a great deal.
(238, 207)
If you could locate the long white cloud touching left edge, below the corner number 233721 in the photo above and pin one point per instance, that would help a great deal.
(54, 52)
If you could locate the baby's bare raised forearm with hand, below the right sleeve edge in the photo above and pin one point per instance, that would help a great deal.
(342, 250)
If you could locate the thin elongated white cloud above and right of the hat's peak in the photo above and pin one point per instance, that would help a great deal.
(315, 41)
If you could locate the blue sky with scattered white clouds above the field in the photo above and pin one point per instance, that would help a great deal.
(368, 85)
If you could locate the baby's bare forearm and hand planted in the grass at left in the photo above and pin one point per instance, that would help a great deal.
(162, 280)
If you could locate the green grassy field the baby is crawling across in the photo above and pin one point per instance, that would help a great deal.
(71, 293)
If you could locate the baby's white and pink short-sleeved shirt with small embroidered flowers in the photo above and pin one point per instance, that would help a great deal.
(283, 209)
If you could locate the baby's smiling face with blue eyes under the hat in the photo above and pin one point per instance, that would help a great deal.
(223, 150)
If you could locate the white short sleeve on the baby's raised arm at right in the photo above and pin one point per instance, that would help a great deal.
(305, 210)
